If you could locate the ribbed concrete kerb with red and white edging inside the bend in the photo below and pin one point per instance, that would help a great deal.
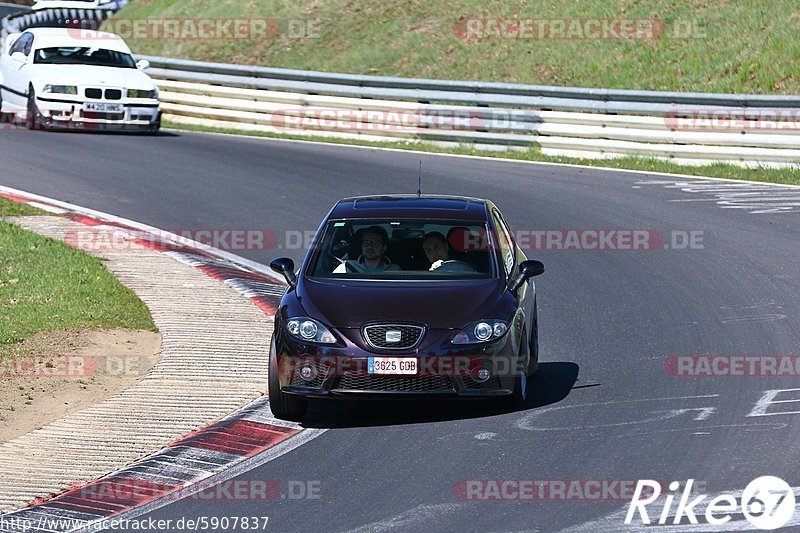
(191, 289)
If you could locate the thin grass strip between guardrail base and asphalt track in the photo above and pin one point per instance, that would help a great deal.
(716, 170)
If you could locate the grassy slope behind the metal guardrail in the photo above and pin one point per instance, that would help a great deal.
(740, 46)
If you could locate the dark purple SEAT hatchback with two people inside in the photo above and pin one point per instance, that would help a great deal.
(406, 297)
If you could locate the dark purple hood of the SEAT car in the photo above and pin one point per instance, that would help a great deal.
(440, 305)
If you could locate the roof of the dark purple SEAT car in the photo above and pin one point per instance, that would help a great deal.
(412, 206)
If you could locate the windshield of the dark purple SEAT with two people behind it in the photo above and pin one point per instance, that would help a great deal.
(403, 249)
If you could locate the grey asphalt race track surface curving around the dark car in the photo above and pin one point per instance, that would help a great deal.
(603, 407)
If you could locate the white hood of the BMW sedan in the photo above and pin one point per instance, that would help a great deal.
(90, 75)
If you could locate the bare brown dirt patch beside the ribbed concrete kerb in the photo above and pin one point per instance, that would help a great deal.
(58, 372)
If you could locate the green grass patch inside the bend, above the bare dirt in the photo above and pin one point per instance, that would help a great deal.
(46, 285)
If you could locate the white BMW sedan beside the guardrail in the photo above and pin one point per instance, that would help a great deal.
(63, 78)
